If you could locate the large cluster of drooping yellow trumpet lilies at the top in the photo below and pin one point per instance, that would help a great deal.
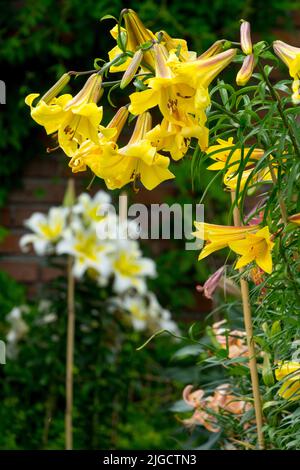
(167, 75)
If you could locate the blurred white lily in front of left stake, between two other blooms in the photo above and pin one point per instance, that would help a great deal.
(88, 252)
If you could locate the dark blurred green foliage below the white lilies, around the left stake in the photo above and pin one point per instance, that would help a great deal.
(121, 396)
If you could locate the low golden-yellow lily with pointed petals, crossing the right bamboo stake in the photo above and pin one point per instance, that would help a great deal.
(252, 242)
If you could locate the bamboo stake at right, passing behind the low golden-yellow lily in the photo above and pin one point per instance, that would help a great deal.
(250, 341)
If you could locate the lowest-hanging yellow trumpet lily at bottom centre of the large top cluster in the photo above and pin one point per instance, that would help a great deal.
(138, 160)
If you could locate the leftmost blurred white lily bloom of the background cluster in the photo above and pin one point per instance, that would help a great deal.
(47, 228)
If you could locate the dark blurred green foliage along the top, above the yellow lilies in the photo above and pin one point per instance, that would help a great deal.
(42, 39)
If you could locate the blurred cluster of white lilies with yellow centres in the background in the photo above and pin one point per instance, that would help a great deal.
(100, 246)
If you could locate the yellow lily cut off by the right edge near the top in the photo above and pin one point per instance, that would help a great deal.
(290, 55)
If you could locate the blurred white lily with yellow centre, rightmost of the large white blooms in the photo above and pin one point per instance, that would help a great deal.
(130, 268)
